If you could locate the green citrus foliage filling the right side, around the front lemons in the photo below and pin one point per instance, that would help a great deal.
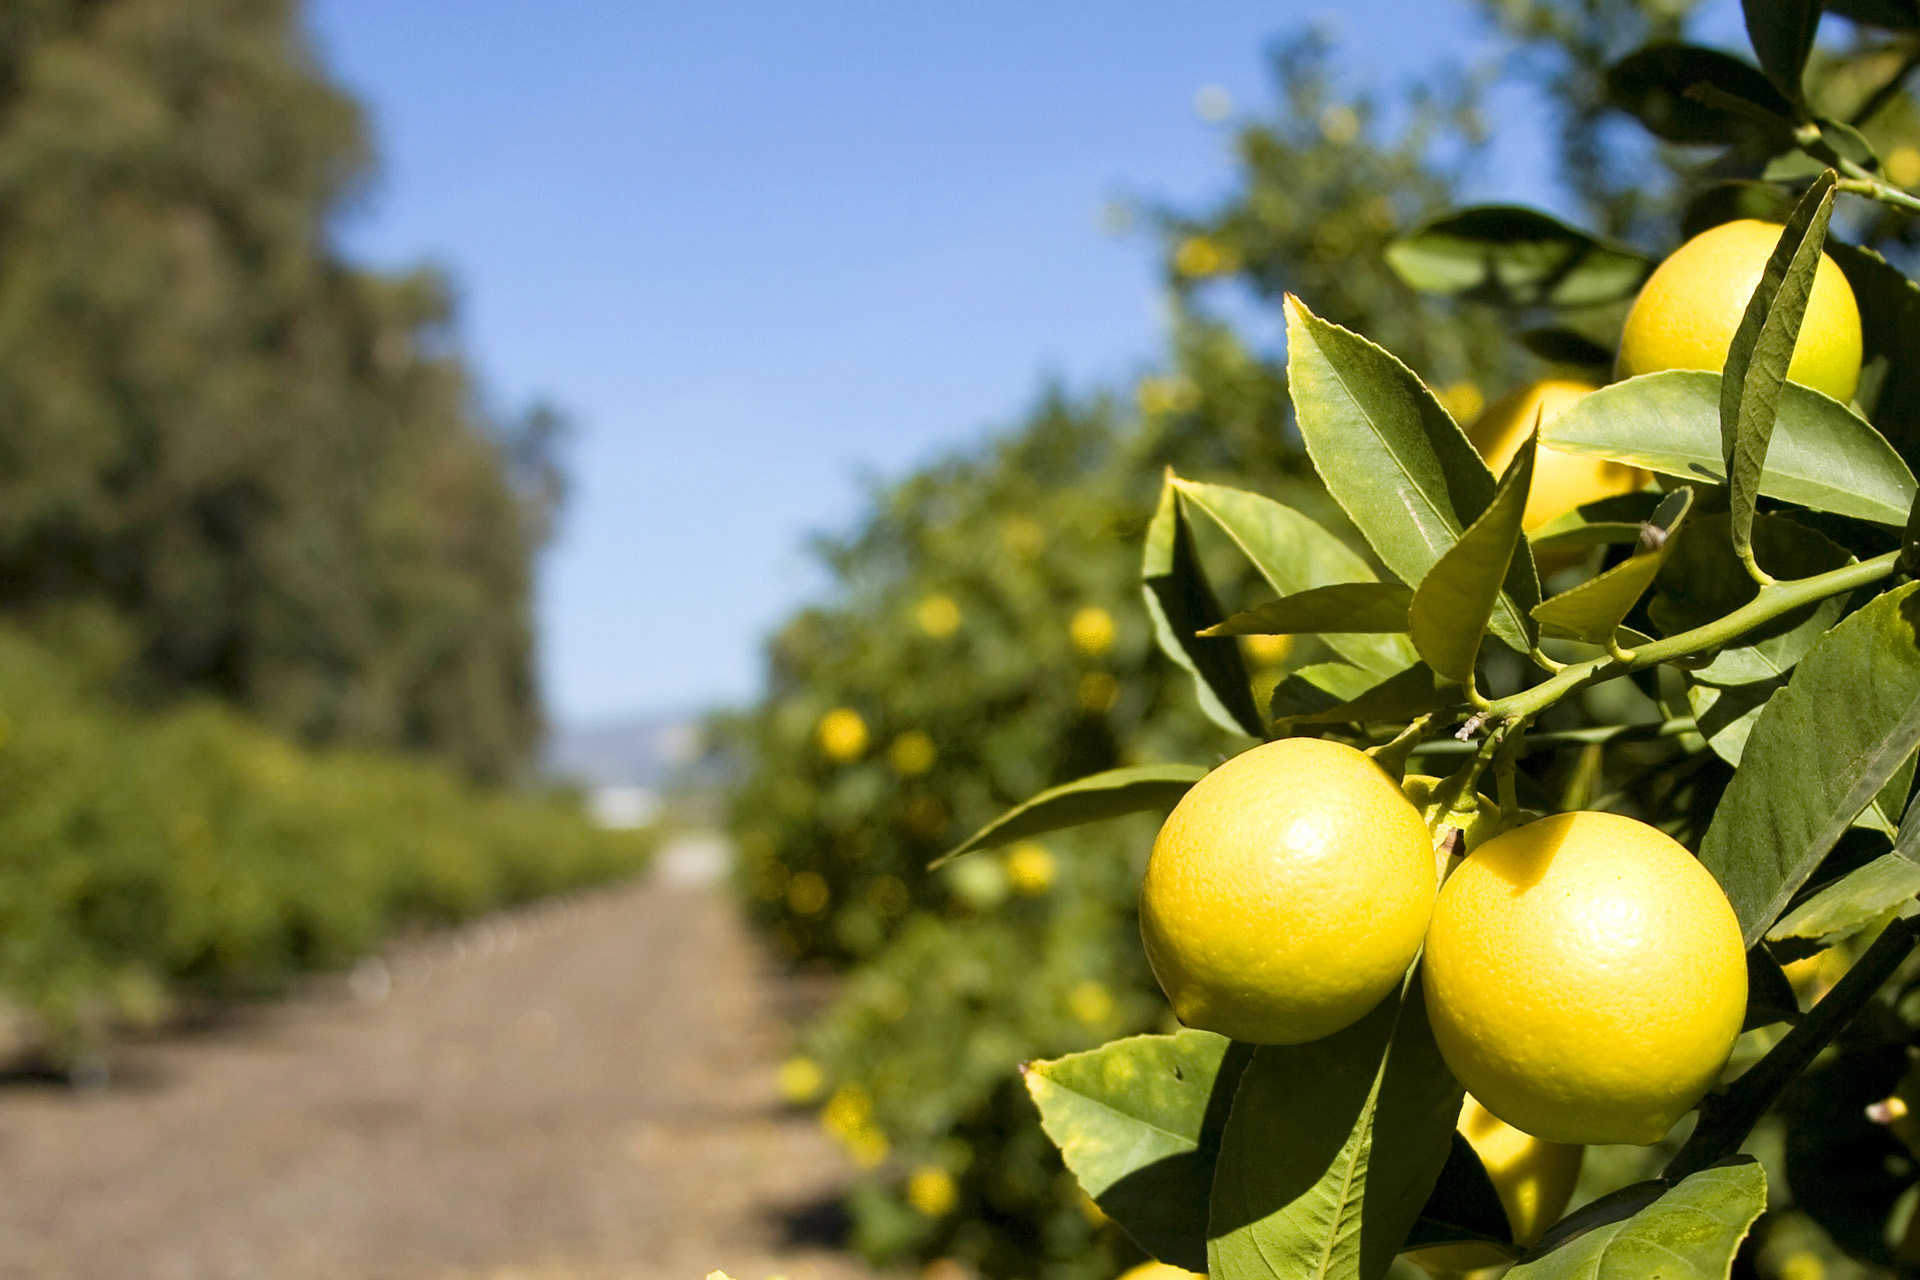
(1719, 655)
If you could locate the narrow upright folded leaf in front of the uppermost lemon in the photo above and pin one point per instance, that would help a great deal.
(1762, 350)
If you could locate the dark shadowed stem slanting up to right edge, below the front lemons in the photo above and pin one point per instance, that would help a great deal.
(1727, 1120)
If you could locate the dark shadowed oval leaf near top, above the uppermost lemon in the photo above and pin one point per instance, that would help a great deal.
(1652, 85)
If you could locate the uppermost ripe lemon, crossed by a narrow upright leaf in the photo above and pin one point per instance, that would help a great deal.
(1691, 306)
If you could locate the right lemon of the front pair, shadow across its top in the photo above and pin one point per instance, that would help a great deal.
(1585, 980)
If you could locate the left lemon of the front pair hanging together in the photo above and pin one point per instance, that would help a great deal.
(1287, 893)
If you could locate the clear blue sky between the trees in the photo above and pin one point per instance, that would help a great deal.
(761, 252)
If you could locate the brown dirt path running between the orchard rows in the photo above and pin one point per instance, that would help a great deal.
(579, 1091)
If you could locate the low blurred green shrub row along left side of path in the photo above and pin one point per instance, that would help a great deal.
(155, 855)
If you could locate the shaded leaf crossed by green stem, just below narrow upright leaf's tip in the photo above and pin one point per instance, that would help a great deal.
(1704, 582)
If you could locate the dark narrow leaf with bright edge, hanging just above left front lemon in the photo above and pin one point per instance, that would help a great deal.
(1182, 604)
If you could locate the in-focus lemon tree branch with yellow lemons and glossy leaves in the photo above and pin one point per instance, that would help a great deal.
(1639, 790)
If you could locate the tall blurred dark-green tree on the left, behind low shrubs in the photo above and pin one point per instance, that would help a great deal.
(268, 463)
